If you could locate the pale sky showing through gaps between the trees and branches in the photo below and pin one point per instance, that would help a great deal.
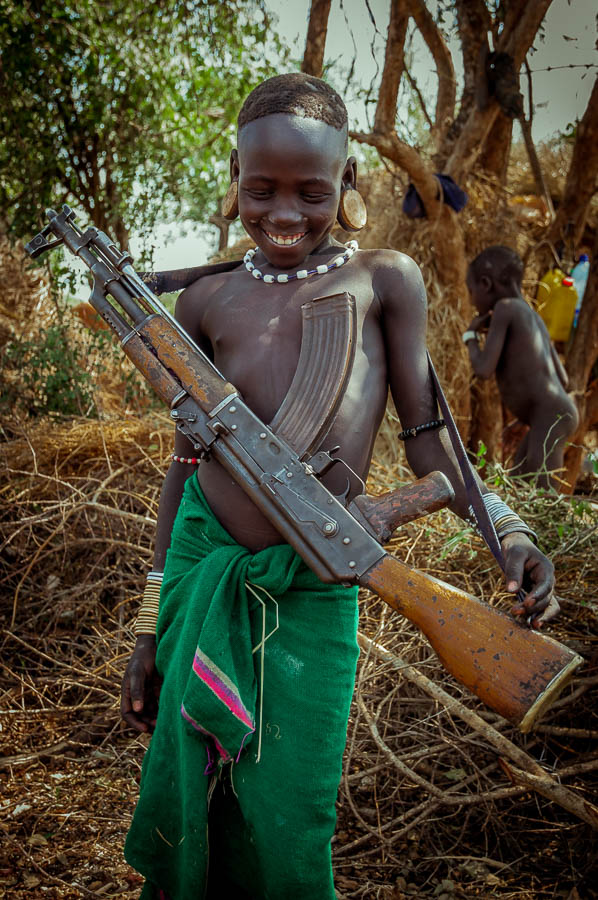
(560, 96)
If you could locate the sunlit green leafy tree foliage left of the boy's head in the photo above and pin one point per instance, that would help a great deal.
(122, 108)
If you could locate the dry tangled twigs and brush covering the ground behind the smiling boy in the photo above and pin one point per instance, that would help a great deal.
(439, 796)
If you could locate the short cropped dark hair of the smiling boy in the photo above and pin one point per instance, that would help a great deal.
(294, 94)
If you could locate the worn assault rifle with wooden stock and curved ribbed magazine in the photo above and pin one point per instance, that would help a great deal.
(515, 671)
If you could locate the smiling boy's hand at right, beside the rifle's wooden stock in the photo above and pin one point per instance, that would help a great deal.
(527, 567)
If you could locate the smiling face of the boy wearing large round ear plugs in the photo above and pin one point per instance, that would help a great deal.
(290, 171)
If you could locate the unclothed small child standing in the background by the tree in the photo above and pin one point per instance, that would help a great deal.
(518, 350)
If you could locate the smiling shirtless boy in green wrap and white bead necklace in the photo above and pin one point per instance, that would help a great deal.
(257, 820)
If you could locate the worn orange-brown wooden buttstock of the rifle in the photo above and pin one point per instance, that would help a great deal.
(516, 671)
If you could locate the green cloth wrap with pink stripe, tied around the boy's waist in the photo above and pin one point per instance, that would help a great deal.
(272, 820)
